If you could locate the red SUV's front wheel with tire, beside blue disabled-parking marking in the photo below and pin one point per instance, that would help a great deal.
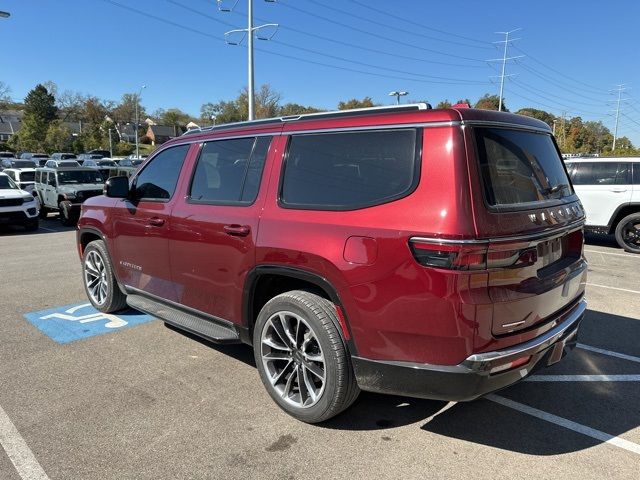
(99, 281)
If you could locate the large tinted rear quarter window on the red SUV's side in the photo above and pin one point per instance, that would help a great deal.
(346, 171)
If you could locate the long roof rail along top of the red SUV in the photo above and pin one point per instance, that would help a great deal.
(310, 116)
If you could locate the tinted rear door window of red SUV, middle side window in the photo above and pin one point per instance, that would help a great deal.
(229, 171)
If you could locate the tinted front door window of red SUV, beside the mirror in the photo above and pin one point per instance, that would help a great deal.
(159, 178)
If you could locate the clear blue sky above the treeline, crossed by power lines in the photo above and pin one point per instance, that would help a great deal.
(324, 52)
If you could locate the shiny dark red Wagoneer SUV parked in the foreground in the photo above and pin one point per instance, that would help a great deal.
(404, 250)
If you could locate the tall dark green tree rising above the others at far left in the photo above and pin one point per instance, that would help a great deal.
(39, 111)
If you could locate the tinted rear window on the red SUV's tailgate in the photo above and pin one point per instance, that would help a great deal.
(520, 167)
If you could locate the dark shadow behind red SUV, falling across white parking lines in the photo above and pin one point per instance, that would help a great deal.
(610, 407)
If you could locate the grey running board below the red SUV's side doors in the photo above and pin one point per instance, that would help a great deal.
(205, 328)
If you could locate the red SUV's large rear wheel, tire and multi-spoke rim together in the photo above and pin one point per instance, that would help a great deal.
(301, 357)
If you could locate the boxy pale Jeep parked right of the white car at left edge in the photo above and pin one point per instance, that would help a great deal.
(63, 189)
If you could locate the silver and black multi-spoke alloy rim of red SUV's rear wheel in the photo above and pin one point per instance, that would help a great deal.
(293, 359)
